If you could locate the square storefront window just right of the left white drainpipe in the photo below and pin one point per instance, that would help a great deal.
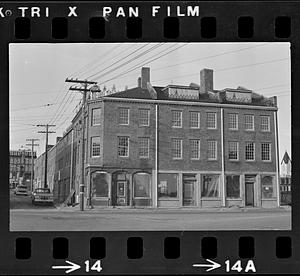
(167, 185)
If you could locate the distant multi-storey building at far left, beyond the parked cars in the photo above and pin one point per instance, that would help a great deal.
(20, 167)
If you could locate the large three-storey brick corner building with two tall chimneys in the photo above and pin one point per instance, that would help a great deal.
(178, 146)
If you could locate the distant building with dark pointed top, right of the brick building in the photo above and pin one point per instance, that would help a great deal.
(286, 179)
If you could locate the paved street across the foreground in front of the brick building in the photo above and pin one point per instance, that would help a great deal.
(24, 217)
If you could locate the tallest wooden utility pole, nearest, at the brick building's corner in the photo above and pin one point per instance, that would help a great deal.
(84, 91)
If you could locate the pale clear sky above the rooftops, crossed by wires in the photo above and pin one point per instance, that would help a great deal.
(40, 95)
